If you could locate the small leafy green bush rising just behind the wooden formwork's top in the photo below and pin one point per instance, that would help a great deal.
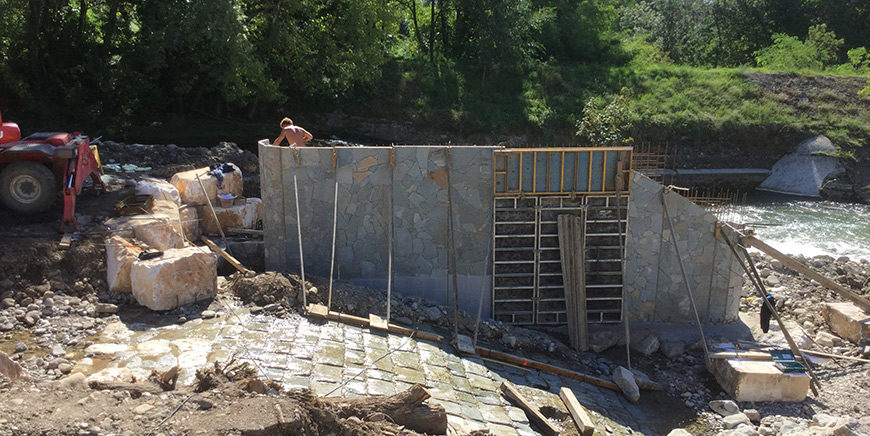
(606, 126)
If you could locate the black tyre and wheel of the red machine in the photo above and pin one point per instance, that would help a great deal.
(27, 187)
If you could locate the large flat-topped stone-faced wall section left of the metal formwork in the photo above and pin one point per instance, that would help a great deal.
(418, 183)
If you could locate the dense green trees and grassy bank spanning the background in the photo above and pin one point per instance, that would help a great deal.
(526, 67)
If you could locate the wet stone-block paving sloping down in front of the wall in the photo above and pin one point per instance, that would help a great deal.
(334, 359)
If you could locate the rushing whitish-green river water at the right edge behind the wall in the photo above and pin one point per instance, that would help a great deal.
(796, 225)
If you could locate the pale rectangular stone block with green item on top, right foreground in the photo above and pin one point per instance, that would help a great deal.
(748, 380)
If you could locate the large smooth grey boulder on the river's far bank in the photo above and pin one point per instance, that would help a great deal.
(802, 171)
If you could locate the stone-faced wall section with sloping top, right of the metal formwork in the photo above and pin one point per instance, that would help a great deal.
(654, 284)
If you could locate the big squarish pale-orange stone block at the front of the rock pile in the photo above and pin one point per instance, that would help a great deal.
(179, 277)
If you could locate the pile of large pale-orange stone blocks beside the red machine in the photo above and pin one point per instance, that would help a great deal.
(179, 272)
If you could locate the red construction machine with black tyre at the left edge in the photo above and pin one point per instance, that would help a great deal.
(34, 170)
